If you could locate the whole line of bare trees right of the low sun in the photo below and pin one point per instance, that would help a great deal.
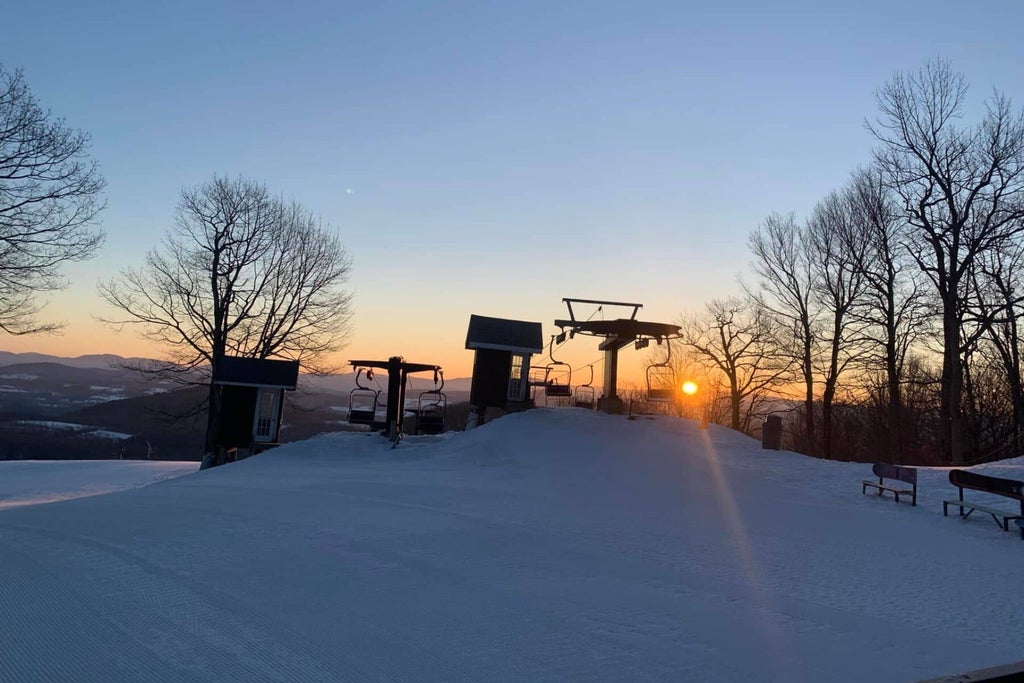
(891, 316)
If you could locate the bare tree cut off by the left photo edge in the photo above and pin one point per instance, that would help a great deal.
(49, 204)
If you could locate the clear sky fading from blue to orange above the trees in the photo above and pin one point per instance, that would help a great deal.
(483, 157)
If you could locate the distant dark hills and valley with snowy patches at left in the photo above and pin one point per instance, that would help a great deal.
(94, 407)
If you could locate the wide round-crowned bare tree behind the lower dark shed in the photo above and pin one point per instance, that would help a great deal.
(241, 274)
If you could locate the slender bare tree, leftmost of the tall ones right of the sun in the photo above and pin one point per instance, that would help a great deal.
(785, 291)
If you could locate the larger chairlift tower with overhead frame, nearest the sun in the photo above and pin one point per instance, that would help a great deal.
(617, 334)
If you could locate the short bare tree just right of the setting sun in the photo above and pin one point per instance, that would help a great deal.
(734, 338)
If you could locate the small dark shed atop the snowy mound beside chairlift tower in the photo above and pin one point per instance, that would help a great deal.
(501, 364)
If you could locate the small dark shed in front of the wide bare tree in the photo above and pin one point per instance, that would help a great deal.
(252, 393)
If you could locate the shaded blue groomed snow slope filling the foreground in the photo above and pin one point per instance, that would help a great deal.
(546, 546)
